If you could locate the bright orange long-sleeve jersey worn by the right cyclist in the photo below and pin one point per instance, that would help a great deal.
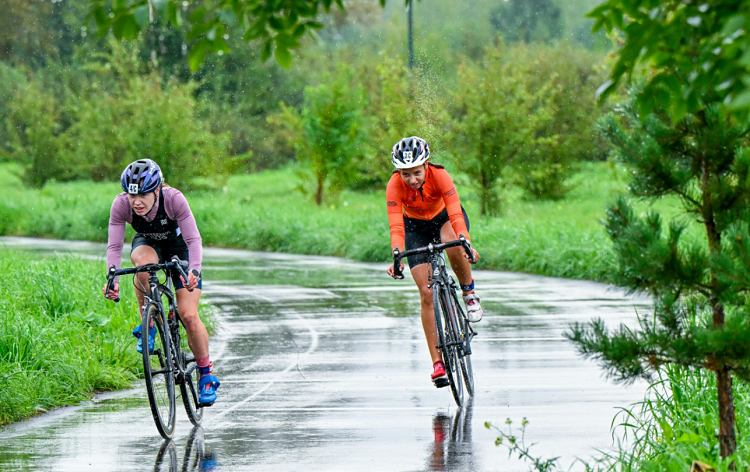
(437, 192)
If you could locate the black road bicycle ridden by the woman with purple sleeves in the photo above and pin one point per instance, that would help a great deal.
(169, 362)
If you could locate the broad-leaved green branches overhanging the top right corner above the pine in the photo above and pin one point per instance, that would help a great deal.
(697, 52)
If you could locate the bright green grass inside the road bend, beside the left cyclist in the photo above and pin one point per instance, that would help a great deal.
(60, 340)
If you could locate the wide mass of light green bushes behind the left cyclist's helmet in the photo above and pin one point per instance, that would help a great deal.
(103, 120)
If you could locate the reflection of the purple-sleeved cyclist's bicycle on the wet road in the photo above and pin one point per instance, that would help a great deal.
(195, 459)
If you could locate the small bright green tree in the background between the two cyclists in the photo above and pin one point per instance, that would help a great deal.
(329, 132)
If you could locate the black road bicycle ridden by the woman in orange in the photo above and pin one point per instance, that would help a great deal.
(453, 330)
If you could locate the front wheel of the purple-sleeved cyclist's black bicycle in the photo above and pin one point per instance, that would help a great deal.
(158, 373)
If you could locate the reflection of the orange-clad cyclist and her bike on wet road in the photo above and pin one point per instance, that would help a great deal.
(452, 448)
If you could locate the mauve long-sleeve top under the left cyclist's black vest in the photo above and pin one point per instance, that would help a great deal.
(177, 209)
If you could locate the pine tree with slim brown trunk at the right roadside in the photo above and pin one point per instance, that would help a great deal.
(699, 284)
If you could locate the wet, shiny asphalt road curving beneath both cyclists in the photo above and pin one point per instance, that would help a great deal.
(324, 367)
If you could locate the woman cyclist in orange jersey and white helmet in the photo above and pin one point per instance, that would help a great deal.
(423, 207)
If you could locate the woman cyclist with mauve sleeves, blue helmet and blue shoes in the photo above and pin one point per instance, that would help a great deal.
(165, 227)
